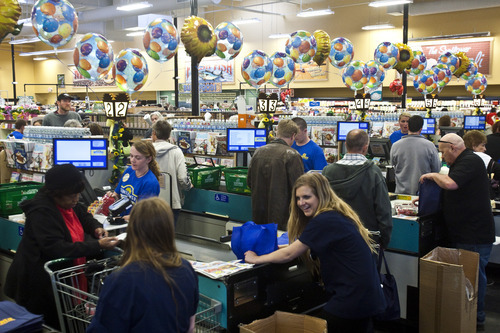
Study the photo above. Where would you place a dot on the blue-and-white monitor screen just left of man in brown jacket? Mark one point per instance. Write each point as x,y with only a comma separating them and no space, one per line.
241,139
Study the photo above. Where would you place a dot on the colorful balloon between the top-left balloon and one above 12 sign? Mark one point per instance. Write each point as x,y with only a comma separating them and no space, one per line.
93,56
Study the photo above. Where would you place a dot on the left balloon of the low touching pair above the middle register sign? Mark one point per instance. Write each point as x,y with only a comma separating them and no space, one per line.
256,68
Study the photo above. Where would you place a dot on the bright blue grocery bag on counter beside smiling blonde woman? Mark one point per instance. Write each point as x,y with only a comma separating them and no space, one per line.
260,238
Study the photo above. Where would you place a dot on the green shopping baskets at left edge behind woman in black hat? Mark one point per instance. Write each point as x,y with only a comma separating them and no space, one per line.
11,195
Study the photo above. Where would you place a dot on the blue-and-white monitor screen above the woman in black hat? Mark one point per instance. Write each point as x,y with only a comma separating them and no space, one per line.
83,153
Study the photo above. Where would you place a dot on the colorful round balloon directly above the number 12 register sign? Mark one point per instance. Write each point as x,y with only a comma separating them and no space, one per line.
131,70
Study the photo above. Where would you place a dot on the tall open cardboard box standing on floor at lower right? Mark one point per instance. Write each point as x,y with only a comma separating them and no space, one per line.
448,291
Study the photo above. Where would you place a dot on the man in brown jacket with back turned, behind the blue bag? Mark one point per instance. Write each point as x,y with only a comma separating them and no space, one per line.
273,170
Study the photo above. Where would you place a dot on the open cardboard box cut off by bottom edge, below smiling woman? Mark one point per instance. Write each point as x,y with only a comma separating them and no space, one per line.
284,322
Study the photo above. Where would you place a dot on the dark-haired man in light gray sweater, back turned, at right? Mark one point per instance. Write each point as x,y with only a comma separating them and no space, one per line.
412,156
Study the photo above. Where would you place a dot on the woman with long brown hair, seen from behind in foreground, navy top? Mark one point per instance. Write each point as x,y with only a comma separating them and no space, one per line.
155,290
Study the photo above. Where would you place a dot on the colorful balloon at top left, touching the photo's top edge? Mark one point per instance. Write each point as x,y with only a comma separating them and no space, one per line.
55,22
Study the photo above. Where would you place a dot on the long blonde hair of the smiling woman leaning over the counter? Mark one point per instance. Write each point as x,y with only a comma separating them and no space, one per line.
327,201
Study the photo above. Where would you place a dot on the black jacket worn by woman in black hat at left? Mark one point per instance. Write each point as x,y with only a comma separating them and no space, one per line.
45,238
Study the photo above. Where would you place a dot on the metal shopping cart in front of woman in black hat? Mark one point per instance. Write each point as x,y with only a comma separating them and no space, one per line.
76,308
